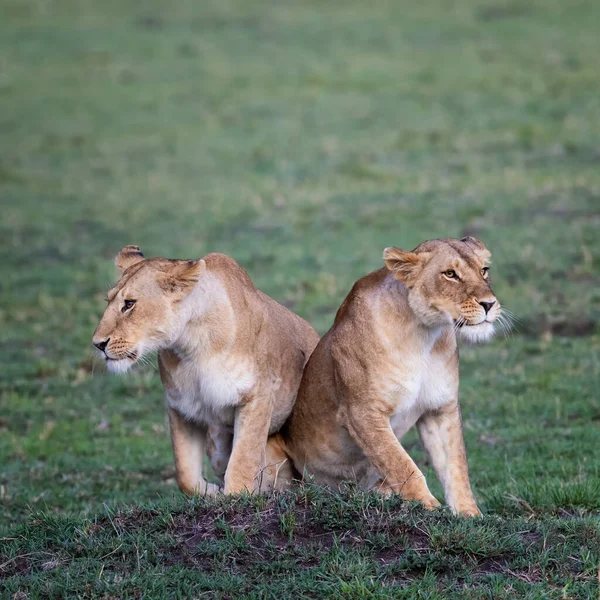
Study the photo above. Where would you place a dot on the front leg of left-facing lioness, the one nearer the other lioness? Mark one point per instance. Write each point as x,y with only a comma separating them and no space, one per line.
251,429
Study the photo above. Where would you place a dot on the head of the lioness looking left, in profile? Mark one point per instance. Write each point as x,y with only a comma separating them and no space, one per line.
142,313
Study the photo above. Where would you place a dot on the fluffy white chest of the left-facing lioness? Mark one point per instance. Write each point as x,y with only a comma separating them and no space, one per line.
208,391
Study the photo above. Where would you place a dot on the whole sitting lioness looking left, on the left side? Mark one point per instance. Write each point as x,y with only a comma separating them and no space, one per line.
230,359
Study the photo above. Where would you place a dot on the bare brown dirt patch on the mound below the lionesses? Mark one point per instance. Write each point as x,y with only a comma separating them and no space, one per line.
259,535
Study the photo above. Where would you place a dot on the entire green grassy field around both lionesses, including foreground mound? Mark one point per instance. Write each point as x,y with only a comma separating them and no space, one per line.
301,138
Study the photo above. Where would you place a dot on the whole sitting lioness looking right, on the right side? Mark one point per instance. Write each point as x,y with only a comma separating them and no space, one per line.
390,361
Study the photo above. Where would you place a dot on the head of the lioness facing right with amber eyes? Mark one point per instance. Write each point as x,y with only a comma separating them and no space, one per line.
449,282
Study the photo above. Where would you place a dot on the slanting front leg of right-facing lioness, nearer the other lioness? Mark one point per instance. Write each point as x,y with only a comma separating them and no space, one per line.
371,430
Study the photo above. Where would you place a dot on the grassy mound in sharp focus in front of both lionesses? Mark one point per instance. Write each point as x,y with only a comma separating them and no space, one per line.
305,544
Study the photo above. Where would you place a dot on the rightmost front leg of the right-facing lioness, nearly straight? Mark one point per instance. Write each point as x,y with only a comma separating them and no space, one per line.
441,433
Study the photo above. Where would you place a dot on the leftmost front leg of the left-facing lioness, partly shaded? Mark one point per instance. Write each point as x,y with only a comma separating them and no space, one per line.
189,441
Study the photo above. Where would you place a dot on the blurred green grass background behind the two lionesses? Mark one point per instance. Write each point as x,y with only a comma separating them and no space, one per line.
301,138
